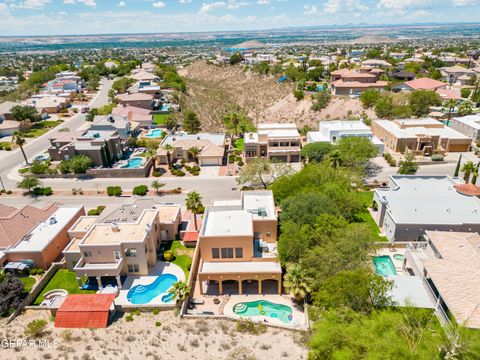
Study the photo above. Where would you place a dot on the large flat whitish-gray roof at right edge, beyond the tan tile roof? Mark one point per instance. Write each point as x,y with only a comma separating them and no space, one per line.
429,200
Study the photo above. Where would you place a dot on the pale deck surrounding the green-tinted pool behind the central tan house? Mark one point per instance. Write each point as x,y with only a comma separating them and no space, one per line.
299,319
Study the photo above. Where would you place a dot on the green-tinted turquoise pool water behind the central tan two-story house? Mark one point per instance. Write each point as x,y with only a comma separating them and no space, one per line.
264,308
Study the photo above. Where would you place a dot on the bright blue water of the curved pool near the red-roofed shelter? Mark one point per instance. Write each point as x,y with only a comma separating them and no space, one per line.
143,294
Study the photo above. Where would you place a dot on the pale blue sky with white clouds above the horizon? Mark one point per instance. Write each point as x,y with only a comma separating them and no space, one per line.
53,17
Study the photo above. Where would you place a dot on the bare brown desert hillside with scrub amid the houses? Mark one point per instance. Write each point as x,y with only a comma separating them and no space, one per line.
215,90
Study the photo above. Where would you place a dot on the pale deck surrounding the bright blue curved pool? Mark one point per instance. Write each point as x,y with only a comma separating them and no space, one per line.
160,268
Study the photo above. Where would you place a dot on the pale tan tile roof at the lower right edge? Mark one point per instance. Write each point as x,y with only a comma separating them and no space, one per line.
456,274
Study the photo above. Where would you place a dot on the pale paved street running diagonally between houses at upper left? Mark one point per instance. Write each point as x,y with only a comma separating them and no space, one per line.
12,159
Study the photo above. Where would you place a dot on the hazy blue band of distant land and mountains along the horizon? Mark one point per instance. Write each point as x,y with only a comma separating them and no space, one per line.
311,34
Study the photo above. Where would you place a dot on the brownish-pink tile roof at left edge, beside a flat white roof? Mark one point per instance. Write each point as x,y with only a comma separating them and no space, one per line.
19,223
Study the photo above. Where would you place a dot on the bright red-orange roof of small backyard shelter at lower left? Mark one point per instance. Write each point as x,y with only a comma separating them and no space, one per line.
84,311
